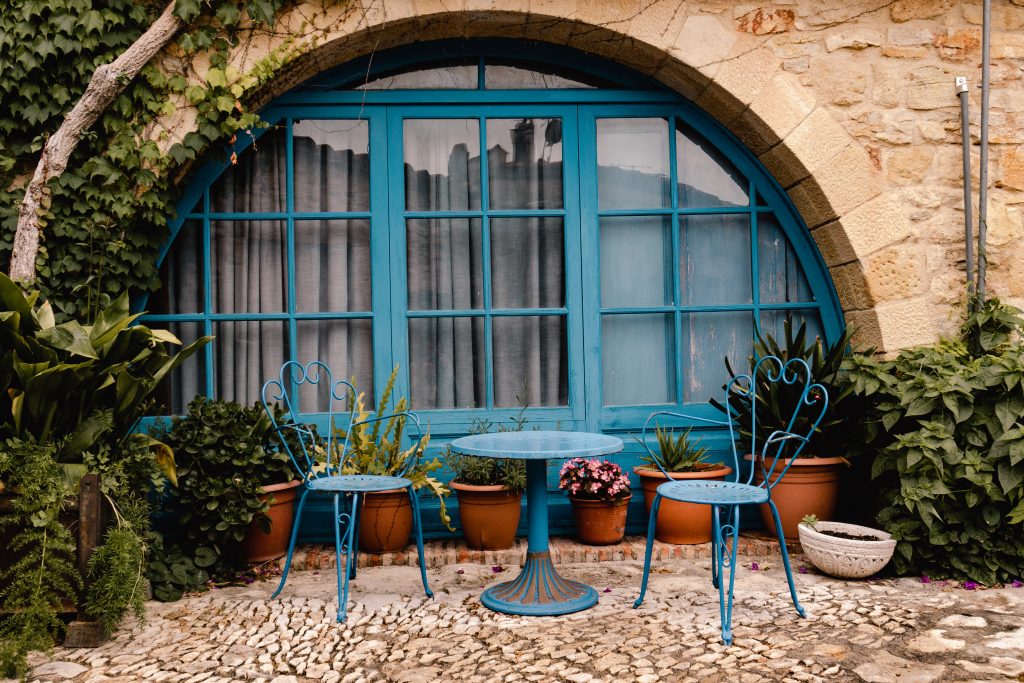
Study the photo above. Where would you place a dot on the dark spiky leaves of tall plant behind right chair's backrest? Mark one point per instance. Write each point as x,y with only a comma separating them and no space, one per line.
777,401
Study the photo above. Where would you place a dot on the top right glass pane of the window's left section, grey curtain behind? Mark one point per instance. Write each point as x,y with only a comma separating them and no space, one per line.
332,165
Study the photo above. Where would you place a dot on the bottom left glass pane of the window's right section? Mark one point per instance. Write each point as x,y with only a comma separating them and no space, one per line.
638,360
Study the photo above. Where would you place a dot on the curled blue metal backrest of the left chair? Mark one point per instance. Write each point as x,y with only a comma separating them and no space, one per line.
301,441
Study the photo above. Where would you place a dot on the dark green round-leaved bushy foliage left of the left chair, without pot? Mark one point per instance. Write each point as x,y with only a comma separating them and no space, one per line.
226,454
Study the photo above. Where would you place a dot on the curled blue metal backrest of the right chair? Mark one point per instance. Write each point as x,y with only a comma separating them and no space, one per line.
802,407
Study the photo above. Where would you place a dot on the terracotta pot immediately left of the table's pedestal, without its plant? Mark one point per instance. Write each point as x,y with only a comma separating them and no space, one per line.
490,516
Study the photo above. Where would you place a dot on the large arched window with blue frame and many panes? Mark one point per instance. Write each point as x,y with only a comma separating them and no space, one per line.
556,233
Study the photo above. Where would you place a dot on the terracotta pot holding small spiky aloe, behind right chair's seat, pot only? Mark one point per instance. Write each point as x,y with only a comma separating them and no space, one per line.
680,523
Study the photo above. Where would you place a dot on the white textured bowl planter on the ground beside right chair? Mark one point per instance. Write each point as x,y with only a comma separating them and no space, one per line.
846,559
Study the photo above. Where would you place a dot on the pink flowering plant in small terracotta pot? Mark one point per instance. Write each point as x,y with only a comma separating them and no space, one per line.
601,495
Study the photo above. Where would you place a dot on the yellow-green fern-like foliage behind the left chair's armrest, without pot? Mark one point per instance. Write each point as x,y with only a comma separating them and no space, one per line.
376,448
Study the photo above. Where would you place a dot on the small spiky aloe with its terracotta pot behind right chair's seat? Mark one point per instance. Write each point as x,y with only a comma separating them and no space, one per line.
679,523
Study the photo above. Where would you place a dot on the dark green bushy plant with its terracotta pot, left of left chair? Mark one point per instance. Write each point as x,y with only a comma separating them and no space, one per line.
236,488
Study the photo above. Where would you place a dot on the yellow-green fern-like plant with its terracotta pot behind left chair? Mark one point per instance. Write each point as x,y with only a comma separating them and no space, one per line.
387,518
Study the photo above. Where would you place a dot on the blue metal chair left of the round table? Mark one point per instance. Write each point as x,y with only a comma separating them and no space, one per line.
305,446
